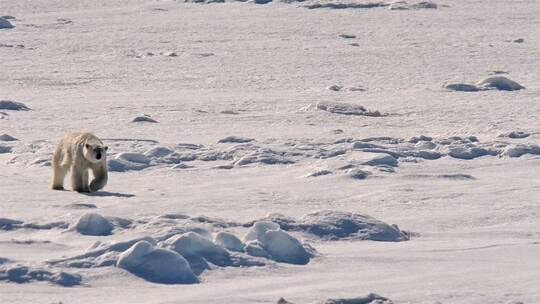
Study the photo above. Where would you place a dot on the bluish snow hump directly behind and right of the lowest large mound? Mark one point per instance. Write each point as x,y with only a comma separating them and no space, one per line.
193,246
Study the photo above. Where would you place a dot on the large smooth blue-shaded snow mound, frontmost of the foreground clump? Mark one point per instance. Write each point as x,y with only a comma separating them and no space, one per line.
156,265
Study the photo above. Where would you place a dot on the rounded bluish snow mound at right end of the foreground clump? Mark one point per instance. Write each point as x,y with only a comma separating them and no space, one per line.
266,239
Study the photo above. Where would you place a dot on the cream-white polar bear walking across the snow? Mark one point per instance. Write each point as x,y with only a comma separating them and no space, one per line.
80,152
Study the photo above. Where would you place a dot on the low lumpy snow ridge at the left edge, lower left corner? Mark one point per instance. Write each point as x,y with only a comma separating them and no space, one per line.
23,274
